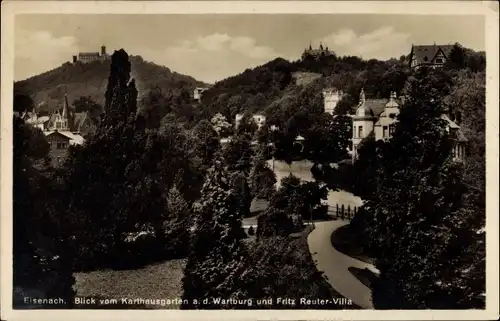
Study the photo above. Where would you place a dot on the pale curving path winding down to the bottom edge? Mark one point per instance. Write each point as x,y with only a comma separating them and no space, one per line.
335,264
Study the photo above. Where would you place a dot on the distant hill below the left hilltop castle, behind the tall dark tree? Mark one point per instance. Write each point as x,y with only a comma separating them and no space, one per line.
89,80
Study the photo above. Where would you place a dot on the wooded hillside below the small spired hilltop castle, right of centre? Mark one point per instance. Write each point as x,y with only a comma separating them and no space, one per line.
254,90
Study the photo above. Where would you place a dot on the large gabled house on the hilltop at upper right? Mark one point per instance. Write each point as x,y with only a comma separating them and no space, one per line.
433,56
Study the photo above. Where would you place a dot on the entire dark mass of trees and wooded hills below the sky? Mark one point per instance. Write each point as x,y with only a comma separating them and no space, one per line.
153,181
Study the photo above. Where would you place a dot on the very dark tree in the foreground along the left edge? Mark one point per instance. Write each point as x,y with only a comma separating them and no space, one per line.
41,257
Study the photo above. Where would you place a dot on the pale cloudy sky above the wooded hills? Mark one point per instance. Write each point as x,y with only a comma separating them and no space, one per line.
213,47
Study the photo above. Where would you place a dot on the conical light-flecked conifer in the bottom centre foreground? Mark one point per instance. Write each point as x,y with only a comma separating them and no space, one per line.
216,263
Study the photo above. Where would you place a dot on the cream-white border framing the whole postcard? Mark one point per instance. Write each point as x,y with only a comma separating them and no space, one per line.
487,9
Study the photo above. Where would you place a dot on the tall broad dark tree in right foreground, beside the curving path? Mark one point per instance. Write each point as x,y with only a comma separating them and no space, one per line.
420,224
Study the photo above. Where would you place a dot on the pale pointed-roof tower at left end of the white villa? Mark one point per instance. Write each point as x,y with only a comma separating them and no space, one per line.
362,123
